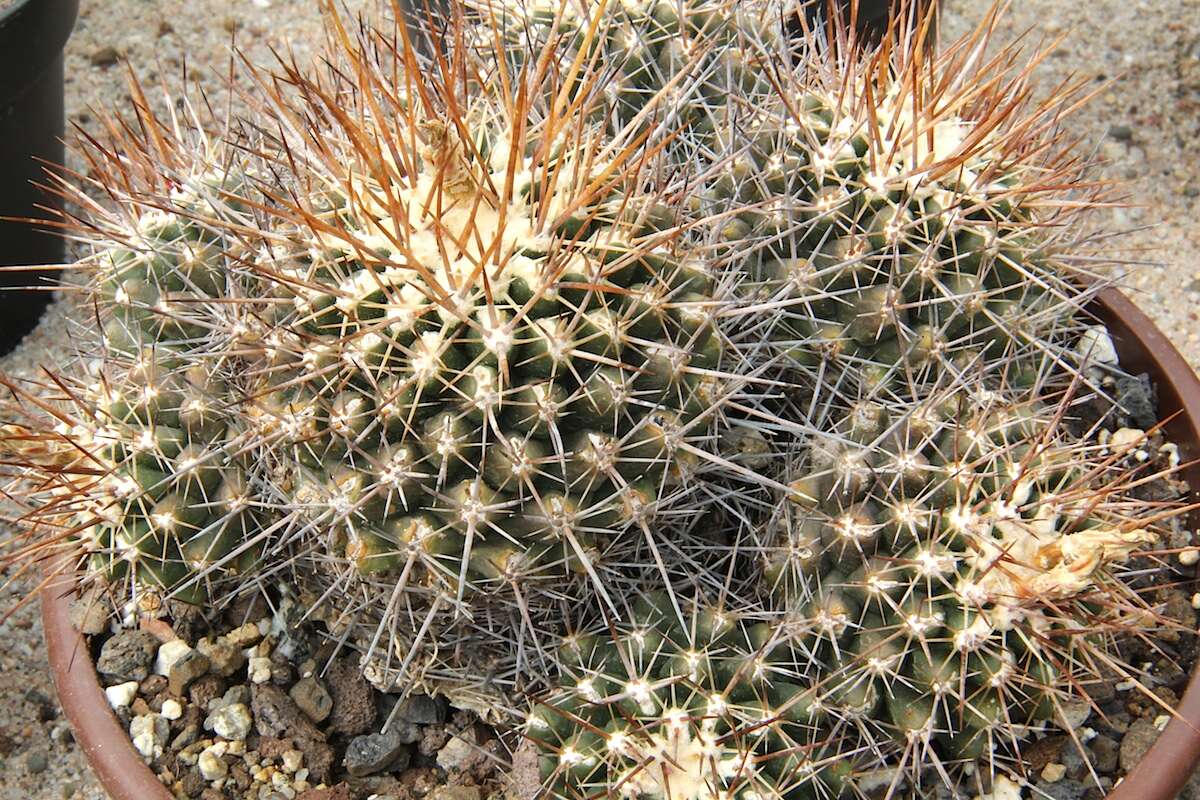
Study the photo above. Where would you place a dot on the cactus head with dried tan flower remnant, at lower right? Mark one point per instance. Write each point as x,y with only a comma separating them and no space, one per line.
937,558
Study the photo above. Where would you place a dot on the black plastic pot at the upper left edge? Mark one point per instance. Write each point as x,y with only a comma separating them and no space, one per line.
33,34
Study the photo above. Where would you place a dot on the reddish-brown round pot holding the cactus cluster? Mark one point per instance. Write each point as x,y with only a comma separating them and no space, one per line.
1162,773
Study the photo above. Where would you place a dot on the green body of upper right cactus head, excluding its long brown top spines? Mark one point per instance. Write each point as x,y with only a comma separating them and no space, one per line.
874,260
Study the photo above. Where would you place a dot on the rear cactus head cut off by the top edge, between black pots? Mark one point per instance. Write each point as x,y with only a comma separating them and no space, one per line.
650,65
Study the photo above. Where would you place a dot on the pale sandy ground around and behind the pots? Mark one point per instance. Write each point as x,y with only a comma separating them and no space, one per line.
1145,124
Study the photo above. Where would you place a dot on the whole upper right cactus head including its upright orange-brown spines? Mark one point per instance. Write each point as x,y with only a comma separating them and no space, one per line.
899,221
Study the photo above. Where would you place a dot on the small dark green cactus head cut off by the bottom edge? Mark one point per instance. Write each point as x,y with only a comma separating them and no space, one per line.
710,708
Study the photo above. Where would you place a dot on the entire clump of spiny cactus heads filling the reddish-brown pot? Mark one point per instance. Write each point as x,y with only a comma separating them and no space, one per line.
641,299
